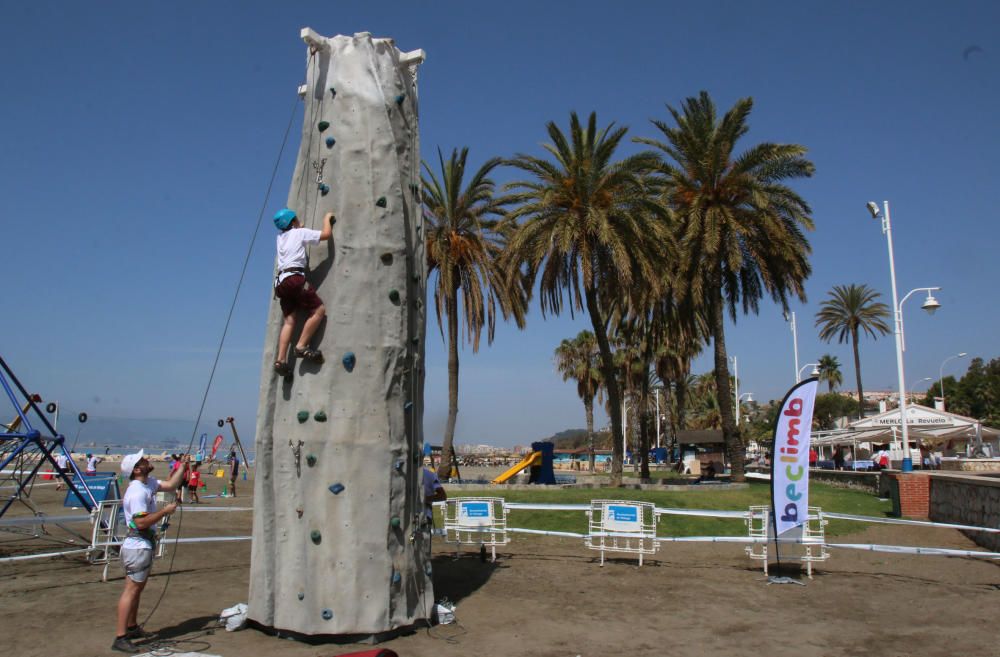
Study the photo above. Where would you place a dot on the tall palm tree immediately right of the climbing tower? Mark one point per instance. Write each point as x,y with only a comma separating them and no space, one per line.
463,247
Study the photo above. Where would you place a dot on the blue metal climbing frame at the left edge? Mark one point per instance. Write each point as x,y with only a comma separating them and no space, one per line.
23,446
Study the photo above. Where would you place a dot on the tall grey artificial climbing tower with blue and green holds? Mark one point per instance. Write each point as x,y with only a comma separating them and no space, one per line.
339,542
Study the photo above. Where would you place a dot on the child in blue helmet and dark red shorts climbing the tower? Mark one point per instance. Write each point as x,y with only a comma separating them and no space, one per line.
290,287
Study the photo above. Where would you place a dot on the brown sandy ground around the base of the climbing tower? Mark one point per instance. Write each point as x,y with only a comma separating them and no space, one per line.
546,597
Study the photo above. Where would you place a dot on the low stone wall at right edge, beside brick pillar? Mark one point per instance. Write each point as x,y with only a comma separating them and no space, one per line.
967,500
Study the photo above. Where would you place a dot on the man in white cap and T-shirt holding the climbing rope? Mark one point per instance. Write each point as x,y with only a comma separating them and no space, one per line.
141,518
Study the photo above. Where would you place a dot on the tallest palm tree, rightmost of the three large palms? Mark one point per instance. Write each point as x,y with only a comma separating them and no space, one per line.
740,224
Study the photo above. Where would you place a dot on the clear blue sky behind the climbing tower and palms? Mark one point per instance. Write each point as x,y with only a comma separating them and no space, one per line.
138,141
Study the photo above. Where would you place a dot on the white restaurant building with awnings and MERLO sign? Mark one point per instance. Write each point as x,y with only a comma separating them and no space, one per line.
939,431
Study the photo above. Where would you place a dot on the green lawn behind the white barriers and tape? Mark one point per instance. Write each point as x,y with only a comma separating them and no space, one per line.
829,498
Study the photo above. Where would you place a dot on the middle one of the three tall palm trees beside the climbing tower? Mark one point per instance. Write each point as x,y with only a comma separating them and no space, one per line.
593,227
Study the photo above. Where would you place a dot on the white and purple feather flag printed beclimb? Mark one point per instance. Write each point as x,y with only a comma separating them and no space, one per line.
790,459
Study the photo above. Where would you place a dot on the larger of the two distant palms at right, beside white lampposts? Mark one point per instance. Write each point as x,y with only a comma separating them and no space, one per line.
850,309
